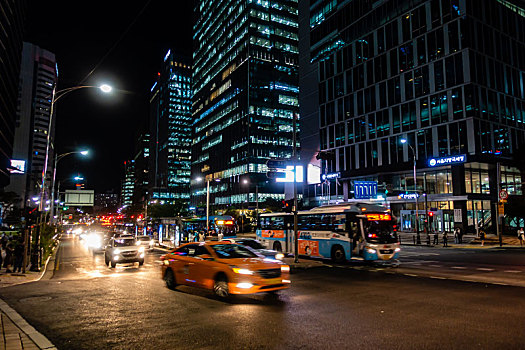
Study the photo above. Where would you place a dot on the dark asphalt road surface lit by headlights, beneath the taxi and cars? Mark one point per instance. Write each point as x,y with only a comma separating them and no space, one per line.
89,306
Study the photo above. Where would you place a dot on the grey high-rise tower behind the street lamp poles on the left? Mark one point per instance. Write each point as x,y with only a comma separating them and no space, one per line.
38,76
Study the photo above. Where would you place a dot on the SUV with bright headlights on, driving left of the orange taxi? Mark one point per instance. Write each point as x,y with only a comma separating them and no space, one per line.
124,250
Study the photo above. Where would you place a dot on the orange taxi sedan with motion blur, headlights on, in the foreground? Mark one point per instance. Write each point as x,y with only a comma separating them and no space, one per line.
224,267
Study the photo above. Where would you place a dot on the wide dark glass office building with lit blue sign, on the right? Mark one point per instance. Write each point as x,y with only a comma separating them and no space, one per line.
441,81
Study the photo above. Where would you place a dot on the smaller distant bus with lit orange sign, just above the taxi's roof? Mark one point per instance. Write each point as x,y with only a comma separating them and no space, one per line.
217,223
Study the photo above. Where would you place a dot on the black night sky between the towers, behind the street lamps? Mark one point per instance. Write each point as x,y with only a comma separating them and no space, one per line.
81,34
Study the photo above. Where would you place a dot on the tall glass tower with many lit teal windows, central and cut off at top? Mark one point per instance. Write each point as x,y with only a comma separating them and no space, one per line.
245,97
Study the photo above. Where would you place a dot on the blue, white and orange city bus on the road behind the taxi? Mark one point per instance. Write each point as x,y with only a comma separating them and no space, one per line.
338,232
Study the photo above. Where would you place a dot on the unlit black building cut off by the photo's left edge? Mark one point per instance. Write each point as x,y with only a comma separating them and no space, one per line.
12,14
